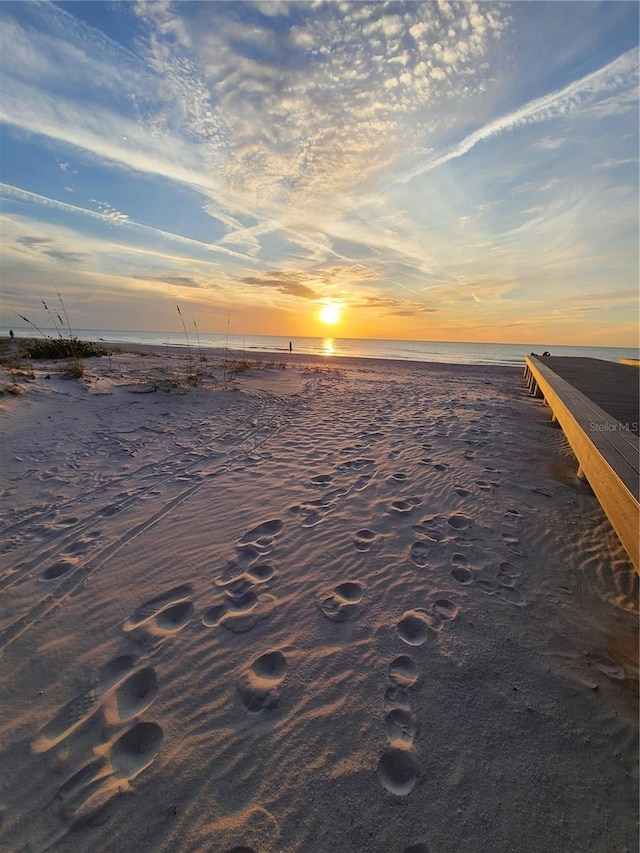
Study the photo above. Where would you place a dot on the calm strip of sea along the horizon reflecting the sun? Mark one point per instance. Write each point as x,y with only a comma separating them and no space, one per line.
450,353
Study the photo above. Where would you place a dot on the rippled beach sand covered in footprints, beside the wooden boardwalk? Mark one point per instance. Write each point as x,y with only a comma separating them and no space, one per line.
317,606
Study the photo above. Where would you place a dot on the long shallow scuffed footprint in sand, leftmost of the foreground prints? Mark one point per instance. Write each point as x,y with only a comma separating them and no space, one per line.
81,707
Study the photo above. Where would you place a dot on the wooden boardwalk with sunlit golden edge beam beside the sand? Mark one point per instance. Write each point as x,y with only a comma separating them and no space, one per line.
597,405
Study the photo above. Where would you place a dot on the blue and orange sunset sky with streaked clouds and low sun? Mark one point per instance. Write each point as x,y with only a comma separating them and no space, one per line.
422,171
